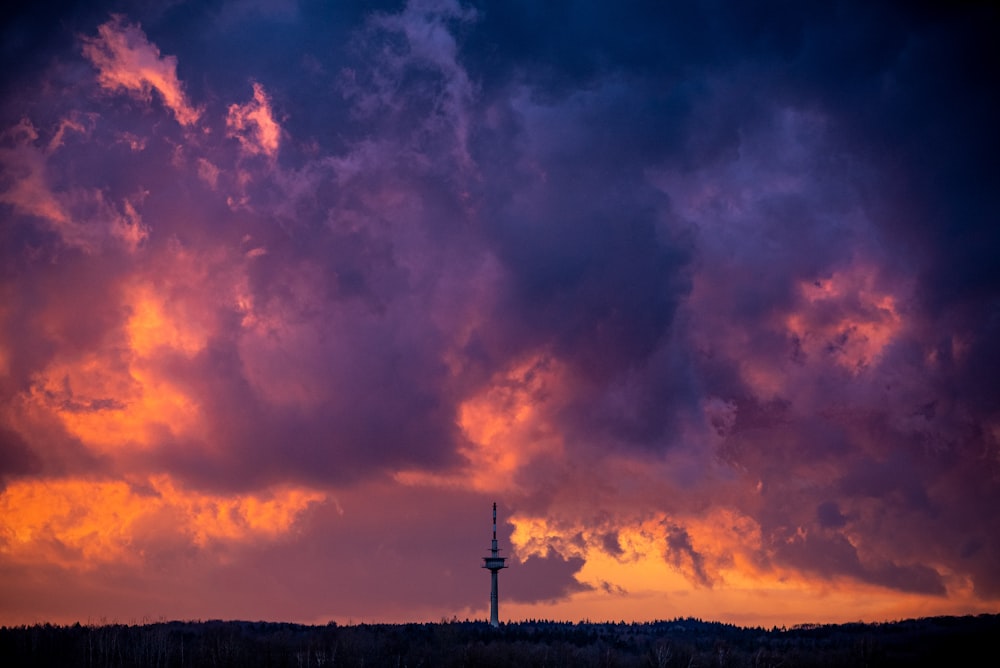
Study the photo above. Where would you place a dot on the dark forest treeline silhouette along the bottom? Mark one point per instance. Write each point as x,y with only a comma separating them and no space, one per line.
679,642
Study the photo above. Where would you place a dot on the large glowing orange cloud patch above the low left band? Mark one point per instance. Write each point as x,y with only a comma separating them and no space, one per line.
116,395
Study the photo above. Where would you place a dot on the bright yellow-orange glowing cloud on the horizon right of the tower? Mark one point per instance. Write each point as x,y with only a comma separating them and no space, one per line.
640,580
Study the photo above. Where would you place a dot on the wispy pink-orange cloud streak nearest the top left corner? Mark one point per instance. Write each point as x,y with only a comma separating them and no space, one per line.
126,60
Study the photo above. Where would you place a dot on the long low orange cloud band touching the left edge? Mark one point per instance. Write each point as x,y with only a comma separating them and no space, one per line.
80,523
